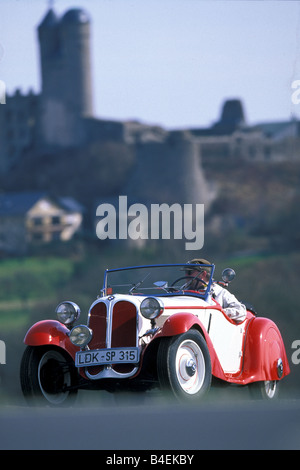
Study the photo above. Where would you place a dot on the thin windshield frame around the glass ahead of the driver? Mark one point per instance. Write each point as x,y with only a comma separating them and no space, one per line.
200,294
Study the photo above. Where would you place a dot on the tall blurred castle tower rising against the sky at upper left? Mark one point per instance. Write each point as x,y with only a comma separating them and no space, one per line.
66,95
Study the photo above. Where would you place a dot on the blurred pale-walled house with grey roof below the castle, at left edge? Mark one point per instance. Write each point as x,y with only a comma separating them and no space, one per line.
35,217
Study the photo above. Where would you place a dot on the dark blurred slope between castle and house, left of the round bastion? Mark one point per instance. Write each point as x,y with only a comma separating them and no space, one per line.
86,174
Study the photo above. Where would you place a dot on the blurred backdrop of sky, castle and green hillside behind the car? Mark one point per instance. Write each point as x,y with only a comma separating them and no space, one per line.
173,101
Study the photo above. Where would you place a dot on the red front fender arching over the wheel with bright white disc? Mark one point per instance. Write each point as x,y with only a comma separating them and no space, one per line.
182,322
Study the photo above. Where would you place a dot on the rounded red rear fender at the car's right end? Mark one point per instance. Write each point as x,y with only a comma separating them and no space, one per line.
263,348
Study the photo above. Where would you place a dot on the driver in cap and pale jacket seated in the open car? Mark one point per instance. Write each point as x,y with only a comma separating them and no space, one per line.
234,309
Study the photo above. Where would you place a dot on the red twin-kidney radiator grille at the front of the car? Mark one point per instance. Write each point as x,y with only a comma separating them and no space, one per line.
114,325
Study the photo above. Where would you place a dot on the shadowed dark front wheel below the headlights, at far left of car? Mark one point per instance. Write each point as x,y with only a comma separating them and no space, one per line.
44,373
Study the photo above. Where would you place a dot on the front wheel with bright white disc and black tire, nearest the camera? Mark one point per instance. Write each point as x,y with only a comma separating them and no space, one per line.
184,366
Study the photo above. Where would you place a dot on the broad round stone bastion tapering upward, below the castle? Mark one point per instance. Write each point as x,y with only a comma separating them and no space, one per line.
168,172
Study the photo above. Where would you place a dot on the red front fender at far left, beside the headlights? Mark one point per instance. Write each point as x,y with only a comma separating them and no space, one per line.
52,333
